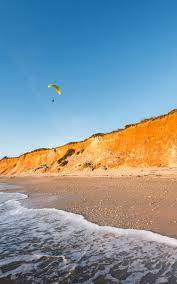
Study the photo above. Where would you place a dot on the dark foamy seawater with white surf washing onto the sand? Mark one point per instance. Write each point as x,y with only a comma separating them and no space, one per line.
54,246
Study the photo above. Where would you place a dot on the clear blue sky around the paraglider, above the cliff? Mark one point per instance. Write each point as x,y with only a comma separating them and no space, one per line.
116,62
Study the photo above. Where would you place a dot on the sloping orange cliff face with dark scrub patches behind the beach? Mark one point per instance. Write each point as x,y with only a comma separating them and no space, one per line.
151,143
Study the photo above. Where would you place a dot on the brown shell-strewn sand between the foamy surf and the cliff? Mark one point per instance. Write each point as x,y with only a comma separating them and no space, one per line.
137,202
